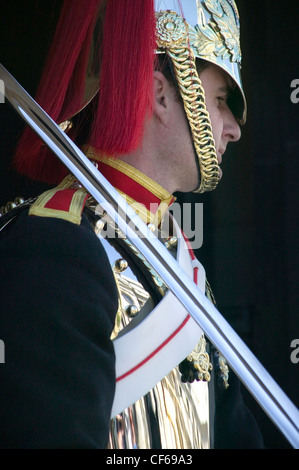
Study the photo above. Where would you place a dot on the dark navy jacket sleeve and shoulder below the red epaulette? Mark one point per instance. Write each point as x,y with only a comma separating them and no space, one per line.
58,305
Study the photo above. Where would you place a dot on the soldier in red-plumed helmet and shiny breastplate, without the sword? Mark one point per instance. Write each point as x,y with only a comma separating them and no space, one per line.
153,124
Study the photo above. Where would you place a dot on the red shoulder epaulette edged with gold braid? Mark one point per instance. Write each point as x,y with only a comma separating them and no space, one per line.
66,202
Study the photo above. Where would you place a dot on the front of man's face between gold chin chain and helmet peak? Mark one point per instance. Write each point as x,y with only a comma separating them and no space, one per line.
217,85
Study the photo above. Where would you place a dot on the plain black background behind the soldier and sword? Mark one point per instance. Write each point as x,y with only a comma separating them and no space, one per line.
251,225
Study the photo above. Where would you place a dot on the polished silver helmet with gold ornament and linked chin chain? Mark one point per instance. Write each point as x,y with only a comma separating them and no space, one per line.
188,30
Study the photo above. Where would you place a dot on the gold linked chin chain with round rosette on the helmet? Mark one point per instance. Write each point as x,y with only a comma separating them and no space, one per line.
184,64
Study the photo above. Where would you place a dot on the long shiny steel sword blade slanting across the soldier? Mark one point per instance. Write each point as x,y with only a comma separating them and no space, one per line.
272,399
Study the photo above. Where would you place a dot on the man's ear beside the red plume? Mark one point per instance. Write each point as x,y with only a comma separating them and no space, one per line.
163,95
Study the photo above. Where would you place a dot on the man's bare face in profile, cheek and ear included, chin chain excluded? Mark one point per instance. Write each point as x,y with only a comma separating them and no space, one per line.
171,138
